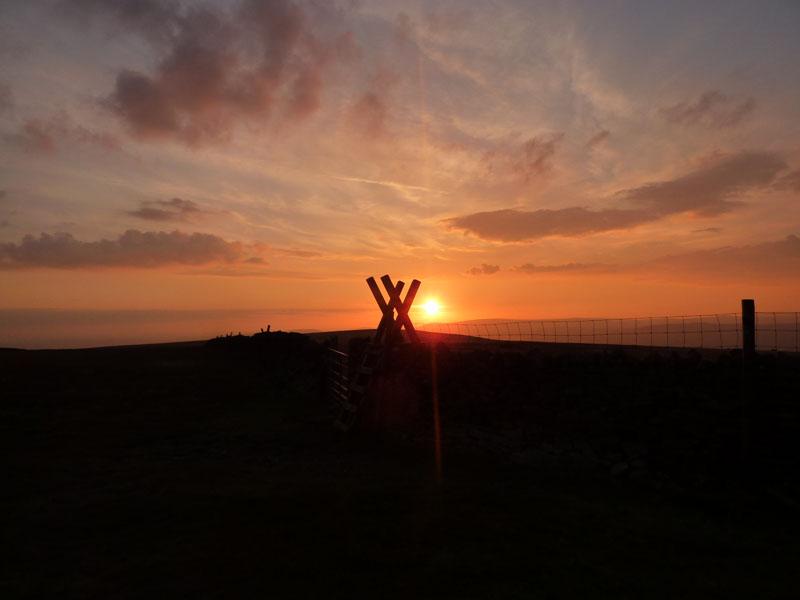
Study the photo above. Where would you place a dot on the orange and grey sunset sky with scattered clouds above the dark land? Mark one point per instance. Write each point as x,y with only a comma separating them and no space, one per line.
177,170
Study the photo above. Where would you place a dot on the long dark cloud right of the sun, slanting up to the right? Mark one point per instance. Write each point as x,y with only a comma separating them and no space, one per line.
707,191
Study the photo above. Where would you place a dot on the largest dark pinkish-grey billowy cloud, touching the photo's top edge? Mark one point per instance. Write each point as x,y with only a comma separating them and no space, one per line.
219,67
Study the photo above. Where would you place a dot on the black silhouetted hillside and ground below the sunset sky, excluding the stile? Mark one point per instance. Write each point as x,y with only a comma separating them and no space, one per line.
213,469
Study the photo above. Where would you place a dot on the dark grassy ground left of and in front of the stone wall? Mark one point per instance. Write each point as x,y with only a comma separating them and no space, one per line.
188,471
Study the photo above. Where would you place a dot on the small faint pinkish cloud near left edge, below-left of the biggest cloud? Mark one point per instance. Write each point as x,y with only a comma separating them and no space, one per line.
43,137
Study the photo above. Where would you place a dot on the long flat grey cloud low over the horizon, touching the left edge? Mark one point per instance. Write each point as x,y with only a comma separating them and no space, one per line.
131,249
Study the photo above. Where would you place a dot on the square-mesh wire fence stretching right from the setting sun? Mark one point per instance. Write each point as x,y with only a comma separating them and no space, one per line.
774,331
